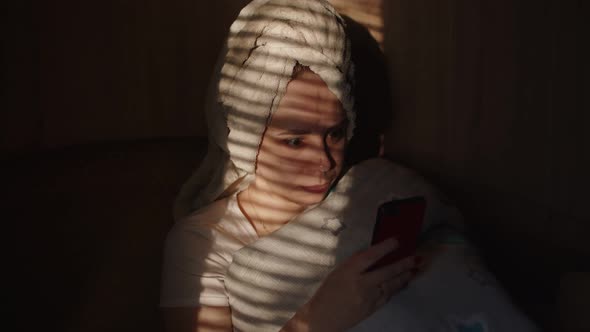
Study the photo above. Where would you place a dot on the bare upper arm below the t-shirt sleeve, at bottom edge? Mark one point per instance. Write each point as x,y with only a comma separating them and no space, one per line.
202,319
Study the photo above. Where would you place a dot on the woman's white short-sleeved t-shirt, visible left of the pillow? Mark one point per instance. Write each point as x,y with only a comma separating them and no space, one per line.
198,251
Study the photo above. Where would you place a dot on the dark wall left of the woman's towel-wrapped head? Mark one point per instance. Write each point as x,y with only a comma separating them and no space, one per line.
80,72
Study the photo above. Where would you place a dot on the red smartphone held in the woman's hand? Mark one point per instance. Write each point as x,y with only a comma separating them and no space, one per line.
401,219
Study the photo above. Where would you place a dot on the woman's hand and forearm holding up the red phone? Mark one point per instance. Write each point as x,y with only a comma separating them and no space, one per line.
350,293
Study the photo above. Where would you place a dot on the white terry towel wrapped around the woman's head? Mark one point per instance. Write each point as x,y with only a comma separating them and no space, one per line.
267,40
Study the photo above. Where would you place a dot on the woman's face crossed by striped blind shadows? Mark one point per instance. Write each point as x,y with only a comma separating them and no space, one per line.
302,150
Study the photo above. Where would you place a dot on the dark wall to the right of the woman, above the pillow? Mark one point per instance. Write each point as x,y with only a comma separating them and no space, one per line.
491,104
